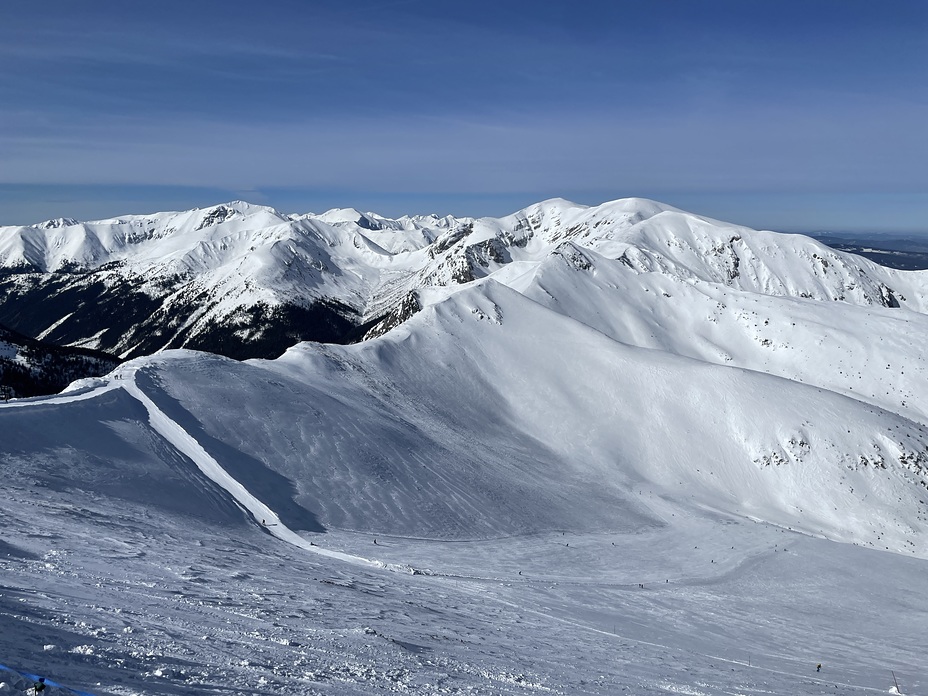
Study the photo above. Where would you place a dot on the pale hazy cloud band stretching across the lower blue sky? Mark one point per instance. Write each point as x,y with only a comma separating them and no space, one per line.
788,148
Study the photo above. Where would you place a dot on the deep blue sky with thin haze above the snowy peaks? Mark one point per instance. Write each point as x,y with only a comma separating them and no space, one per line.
787,115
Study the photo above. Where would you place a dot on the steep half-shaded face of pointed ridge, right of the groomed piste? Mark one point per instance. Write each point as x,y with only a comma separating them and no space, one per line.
488,415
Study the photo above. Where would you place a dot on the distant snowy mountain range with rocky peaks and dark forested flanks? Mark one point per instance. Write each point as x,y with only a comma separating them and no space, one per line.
247,281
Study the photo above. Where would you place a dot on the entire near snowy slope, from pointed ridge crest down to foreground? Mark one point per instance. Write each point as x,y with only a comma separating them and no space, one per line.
554,511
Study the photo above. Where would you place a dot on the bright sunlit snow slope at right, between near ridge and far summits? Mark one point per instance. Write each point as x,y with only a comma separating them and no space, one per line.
864,351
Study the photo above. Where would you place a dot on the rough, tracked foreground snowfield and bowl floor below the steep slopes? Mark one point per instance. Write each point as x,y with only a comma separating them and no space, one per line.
120,601
